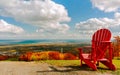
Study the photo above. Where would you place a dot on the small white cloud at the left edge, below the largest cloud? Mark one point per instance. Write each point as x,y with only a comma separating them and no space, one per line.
9,28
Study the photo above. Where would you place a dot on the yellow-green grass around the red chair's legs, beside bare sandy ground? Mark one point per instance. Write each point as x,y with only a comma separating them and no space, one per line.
76,64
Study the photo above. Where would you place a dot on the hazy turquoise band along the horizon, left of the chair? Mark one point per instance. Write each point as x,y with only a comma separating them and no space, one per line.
7,42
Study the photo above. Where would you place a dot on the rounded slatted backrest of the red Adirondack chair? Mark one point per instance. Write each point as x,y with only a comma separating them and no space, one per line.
99,47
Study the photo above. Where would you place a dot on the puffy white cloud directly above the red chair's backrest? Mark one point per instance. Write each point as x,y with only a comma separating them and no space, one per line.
91,25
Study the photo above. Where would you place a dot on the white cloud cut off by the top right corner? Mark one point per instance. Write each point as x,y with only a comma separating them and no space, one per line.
107,5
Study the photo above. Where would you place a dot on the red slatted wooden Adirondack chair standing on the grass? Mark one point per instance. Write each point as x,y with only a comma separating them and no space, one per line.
100,45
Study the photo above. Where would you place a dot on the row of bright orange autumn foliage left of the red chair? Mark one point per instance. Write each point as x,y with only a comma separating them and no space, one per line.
48,55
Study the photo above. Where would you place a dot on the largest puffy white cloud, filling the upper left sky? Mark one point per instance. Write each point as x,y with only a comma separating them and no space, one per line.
45,14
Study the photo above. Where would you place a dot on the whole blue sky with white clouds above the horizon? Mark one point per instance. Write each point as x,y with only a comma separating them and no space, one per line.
57,19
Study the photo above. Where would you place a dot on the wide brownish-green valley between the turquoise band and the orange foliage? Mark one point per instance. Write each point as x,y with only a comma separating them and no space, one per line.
17,50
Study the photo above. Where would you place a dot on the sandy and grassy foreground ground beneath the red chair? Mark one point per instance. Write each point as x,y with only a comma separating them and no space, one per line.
53,67
